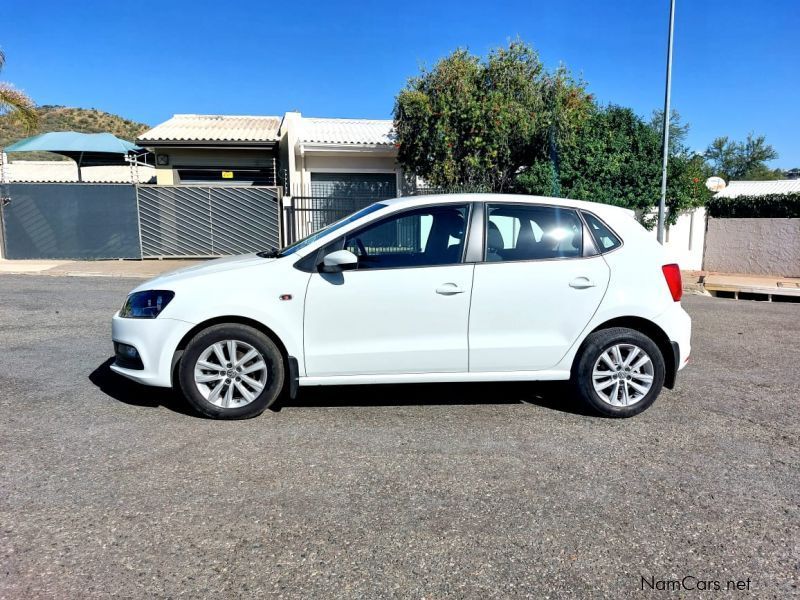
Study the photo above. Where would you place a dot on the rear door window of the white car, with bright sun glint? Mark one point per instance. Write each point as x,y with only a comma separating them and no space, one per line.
525,232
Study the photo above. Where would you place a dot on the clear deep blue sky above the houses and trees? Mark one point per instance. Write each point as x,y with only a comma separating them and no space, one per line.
735,63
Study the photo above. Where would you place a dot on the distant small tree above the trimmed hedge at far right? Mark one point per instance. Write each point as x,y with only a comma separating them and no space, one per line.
746,160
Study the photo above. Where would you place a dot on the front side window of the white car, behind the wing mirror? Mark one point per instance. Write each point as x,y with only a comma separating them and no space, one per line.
422,237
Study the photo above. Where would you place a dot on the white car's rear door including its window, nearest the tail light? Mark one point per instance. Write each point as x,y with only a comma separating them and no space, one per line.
535,290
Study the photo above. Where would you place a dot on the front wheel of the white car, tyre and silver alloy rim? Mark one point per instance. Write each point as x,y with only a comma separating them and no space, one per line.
206,372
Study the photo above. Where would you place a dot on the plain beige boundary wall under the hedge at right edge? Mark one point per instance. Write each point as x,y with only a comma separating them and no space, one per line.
753,246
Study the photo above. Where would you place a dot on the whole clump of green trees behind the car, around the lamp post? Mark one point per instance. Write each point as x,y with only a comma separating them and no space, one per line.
507,124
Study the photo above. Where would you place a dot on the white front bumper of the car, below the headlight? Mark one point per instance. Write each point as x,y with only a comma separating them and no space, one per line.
155,340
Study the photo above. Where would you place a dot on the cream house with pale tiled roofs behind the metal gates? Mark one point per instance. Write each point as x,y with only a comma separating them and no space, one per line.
306,156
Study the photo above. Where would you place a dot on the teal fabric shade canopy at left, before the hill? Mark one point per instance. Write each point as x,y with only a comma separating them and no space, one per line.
87,149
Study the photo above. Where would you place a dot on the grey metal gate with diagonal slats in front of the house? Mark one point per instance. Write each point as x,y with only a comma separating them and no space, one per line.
184,221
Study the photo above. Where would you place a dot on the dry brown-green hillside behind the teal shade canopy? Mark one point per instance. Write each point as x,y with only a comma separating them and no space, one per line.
61,118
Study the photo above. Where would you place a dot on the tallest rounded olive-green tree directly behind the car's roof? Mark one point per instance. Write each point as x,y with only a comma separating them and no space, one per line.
474,122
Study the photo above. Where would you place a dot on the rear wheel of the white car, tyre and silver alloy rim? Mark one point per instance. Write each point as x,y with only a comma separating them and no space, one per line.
602,381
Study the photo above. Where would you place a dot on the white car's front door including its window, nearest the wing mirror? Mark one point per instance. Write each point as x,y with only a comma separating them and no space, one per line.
405,309
